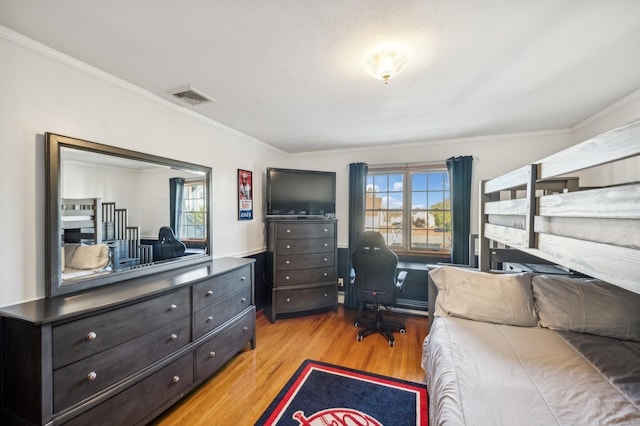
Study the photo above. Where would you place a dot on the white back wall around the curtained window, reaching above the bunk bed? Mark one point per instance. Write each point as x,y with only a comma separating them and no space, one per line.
492,156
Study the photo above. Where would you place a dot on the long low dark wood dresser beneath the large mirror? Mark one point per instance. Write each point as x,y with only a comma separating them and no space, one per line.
124,353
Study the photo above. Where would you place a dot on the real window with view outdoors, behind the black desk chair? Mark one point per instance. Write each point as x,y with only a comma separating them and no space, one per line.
410,207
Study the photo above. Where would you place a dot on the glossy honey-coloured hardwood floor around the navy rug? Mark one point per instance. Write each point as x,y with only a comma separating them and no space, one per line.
244,388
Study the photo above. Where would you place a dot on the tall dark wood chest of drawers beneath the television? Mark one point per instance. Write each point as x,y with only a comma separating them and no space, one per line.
302,265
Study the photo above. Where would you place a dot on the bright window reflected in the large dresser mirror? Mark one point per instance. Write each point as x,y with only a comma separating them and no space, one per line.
194,211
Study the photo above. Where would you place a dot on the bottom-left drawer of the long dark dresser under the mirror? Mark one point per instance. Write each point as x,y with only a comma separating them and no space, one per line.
151,394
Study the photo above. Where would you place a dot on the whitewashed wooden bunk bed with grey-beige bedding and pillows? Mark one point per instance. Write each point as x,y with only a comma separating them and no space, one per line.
525,348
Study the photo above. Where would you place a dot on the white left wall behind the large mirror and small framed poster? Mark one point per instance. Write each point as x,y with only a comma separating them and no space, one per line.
45,91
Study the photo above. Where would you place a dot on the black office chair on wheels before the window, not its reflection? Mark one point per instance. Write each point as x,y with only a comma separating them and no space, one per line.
376,283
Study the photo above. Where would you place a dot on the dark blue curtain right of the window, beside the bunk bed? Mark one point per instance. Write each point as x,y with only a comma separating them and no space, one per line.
459,169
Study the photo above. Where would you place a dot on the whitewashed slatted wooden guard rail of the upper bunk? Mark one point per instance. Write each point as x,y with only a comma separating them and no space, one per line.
566,225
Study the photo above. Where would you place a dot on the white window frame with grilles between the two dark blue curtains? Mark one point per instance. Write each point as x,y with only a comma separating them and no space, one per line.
408,171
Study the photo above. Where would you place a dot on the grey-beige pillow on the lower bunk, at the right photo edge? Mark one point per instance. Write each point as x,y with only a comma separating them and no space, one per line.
587,306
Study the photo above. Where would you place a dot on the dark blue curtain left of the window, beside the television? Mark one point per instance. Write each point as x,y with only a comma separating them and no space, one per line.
357,194
